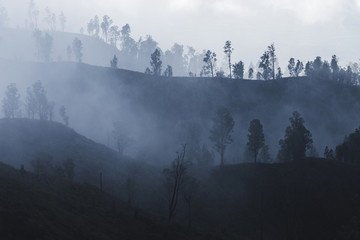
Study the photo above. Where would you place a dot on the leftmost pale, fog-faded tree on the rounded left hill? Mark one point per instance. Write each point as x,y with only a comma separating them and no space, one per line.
11,101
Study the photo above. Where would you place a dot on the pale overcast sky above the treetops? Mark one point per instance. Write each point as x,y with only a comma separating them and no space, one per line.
301,29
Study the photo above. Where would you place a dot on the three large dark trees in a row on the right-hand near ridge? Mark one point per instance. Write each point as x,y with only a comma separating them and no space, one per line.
297,140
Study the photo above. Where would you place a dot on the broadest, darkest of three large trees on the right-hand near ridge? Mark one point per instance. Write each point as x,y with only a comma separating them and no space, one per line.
296,141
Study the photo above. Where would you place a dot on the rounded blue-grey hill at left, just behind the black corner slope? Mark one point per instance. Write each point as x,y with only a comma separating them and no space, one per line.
23,140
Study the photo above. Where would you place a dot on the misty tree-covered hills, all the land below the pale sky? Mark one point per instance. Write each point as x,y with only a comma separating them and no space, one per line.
104,135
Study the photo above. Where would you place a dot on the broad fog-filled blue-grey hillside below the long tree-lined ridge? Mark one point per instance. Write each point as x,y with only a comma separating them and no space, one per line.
158,113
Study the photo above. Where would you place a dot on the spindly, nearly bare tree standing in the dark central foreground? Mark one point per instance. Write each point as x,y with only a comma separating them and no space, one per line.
174,179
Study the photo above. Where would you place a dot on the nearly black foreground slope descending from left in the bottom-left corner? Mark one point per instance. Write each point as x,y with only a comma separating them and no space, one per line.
37,207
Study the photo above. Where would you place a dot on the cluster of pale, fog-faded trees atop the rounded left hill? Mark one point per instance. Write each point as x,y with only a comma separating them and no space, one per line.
37,105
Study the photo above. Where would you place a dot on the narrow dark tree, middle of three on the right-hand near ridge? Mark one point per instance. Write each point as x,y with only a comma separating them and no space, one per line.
256,139
